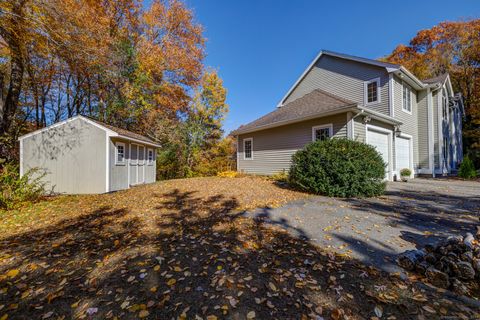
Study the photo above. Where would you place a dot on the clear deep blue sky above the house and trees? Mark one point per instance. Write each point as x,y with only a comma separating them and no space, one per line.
261,47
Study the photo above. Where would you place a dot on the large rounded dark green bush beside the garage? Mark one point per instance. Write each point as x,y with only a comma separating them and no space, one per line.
339,168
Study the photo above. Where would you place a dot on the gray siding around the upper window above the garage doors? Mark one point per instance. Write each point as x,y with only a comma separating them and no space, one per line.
410,121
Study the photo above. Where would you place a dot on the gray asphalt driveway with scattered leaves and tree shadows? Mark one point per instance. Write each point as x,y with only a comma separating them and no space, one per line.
376,230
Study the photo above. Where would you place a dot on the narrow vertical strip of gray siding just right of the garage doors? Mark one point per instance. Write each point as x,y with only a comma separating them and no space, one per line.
423,153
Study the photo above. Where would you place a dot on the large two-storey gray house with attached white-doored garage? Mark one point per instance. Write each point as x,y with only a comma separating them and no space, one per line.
413,123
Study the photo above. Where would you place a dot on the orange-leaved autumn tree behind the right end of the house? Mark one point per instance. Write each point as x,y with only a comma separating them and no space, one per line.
452,47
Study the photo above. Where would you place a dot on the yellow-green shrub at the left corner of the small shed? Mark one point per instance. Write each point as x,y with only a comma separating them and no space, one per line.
16,190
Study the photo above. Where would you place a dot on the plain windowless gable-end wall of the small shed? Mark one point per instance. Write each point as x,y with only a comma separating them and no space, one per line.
73,156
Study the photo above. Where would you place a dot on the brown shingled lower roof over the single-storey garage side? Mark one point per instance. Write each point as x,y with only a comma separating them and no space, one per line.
314,103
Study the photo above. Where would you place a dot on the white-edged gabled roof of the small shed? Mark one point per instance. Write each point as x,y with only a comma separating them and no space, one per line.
112,131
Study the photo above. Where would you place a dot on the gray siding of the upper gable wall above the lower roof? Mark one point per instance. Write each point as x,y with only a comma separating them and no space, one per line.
343,78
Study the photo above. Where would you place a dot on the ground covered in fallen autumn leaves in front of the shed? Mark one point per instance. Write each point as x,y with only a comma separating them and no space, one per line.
182,250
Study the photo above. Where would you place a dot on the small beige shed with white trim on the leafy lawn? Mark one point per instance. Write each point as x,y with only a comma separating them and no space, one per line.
81,155
